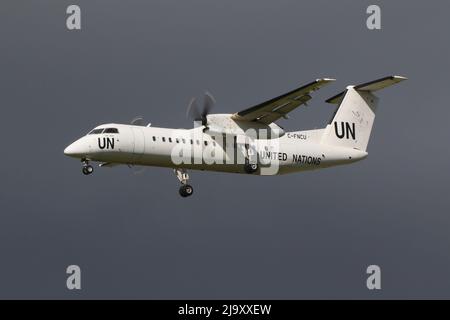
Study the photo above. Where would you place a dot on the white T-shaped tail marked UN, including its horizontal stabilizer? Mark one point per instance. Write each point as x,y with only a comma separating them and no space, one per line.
353,120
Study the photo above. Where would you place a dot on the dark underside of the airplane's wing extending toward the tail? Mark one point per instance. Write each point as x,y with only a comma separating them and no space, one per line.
270,111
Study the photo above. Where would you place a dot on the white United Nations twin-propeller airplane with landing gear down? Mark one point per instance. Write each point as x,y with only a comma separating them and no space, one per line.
248,141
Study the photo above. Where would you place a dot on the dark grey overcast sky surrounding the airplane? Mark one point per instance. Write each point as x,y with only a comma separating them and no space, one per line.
308,235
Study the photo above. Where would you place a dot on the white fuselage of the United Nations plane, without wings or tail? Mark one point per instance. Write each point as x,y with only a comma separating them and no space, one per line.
162,147
